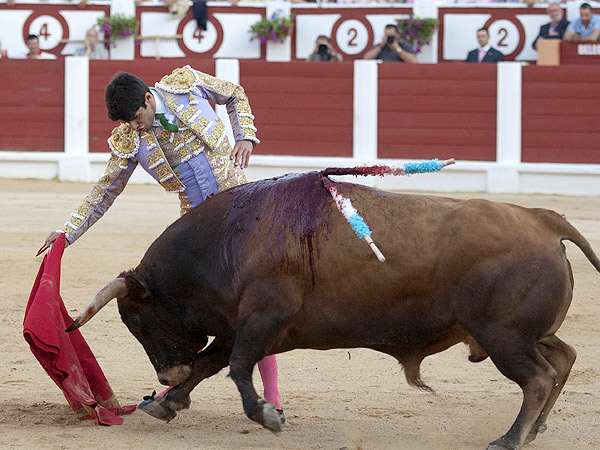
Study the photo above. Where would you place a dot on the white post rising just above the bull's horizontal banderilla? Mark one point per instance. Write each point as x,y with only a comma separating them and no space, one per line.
364,139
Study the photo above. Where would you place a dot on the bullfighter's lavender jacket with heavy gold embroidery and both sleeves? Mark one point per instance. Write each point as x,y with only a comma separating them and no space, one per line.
186,92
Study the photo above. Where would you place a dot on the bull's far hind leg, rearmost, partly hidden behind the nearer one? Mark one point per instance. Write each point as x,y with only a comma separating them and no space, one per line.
561,356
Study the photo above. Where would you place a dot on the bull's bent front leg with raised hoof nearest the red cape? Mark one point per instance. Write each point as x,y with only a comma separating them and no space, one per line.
208,362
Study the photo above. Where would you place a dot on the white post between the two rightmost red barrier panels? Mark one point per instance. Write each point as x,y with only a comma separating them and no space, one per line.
504,177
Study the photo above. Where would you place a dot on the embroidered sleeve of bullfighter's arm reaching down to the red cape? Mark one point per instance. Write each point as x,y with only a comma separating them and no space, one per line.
102,196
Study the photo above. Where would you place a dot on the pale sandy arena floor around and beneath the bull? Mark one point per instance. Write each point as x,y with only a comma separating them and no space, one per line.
341,399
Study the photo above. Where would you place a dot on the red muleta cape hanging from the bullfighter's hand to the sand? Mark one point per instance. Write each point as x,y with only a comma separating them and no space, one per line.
66,357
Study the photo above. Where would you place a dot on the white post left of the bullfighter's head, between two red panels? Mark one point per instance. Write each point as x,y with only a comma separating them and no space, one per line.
74,165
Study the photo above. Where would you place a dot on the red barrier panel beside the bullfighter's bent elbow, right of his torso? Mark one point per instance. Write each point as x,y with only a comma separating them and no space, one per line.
301,108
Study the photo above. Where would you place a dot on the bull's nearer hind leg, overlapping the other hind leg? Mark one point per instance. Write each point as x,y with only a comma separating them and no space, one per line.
524,364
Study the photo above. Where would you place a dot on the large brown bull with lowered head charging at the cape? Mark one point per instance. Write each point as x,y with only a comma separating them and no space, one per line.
272,266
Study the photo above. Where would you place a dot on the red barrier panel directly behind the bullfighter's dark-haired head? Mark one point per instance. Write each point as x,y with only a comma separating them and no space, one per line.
150,71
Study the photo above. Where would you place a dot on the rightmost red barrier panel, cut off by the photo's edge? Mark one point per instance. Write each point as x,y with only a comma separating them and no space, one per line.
560,114
